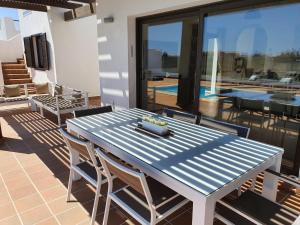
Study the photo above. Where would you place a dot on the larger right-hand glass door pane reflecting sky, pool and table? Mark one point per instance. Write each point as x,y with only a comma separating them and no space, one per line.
252,73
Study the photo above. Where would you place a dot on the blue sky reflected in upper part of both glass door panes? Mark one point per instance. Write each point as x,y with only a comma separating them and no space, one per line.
270,30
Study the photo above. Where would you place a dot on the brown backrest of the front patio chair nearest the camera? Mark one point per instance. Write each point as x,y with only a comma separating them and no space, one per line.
133,178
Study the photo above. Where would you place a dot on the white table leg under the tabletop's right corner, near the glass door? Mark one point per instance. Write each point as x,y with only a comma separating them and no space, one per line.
270,184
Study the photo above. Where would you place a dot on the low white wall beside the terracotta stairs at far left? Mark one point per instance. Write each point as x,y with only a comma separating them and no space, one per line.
11,49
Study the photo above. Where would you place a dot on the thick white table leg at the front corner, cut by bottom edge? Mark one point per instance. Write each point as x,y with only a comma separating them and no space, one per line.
203,213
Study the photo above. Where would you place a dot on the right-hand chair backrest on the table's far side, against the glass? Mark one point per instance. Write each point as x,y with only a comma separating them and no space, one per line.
226,127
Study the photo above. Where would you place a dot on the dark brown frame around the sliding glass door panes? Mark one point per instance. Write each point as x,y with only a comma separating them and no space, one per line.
202,12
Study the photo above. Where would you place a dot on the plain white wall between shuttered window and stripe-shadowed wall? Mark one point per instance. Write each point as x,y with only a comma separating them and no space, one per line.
76,52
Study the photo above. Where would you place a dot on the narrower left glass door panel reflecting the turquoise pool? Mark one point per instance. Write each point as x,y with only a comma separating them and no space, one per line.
169,54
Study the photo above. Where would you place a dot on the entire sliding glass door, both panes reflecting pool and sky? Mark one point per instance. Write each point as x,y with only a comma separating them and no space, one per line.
239,64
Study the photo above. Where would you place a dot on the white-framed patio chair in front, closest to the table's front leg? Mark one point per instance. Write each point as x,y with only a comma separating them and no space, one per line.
144,198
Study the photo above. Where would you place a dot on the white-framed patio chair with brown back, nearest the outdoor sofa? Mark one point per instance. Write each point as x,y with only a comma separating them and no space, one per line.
89,169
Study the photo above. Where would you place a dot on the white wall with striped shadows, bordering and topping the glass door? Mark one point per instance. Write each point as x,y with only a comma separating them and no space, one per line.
115,40
